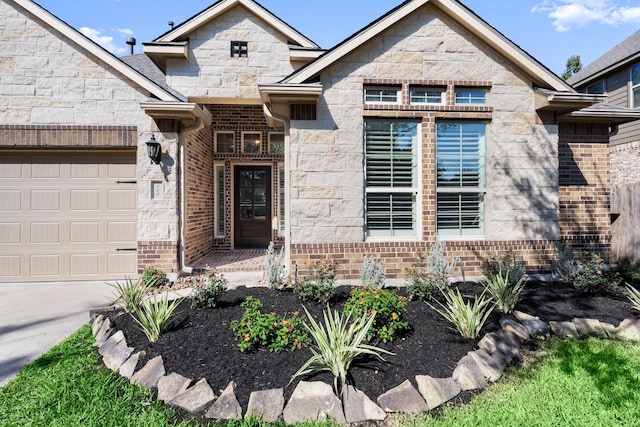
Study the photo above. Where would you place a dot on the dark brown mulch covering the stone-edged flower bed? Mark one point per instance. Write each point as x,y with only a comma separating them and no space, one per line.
203,345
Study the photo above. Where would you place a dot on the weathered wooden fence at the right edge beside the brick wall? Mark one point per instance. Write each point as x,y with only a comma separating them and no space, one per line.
625,216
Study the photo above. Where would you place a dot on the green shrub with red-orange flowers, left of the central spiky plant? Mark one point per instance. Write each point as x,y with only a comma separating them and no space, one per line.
268,330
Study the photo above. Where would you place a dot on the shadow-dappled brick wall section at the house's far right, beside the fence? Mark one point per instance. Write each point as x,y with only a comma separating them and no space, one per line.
585,186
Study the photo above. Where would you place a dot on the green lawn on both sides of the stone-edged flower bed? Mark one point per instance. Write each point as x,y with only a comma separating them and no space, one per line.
575,383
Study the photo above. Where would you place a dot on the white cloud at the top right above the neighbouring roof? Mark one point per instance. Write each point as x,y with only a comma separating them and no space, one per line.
568,14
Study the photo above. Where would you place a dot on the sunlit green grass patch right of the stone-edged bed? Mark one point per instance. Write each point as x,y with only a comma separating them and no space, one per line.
577,383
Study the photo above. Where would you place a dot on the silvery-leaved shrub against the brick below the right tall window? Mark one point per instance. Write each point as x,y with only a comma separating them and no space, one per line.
430,275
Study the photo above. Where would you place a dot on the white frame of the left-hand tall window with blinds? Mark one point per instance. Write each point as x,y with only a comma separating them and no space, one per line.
416,190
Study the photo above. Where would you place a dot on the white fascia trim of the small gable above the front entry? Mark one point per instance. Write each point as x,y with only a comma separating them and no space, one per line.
181,31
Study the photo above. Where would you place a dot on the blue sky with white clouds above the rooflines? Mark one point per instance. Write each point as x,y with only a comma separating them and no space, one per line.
549,30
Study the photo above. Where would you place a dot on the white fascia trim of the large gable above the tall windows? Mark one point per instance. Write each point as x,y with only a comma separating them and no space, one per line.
471,22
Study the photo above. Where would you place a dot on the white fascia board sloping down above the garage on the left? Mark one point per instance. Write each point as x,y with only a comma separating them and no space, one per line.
96,50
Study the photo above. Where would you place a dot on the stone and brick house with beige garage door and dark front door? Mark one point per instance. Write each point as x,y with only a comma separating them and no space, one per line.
427,124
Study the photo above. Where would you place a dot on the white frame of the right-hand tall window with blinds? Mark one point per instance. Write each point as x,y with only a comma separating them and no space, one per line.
480,190
